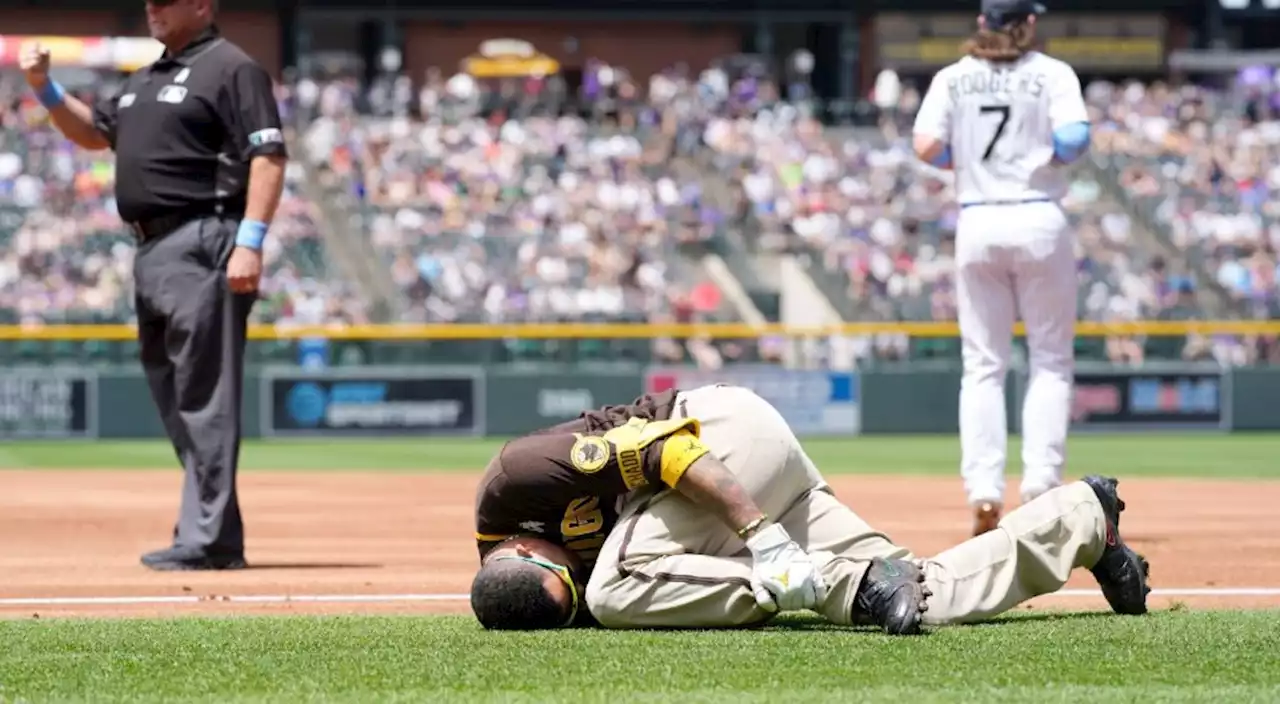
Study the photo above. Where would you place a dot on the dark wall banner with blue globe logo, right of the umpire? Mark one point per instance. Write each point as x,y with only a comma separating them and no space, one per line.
373,401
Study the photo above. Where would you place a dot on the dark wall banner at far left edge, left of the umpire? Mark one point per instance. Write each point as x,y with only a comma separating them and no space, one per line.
48,404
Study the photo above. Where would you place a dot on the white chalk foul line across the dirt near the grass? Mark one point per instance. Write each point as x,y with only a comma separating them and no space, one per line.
423,598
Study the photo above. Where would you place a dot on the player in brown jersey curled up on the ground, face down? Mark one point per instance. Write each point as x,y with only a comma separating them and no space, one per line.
700,509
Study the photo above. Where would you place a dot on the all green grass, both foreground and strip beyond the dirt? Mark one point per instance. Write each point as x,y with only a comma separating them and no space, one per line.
1172,656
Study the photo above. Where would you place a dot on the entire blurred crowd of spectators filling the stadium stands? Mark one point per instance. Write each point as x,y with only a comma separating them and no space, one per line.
520,202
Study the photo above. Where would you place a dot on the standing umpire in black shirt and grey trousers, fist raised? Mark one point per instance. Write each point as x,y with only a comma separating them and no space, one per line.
200,170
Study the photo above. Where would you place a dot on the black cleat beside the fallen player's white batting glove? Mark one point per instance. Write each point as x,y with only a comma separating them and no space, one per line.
893,596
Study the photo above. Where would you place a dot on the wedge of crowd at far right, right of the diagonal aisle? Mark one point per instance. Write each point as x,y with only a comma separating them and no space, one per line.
1205,164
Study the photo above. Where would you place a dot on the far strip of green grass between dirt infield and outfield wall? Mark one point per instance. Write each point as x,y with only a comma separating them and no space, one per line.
1188,456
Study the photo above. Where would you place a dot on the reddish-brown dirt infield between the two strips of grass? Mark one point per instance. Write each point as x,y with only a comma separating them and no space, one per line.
401,538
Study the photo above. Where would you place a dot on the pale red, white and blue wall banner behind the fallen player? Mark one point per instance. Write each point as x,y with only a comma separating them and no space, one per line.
813,403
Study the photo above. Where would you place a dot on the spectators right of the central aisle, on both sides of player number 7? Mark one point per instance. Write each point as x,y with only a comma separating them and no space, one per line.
867,211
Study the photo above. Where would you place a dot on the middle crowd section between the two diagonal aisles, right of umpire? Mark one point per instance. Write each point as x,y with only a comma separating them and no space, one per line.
508,208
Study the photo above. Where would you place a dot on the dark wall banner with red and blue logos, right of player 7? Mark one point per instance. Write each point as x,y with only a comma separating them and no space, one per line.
1151,400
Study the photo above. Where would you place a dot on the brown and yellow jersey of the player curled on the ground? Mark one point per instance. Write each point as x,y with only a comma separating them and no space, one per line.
564,483
